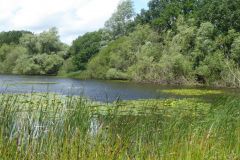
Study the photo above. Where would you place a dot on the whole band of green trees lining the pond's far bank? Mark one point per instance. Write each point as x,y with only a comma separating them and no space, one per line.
171,42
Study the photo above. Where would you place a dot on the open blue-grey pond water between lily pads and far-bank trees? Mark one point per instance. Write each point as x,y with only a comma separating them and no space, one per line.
93,89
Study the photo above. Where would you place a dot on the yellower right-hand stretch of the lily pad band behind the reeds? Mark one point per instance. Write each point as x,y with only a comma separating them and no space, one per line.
146,107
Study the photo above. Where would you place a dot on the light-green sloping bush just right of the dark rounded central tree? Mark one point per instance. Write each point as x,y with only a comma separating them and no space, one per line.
116,59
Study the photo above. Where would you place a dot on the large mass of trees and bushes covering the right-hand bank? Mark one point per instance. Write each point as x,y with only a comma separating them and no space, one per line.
175,42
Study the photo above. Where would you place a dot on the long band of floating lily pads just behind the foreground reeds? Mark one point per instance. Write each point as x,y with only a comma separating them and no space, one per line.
133,107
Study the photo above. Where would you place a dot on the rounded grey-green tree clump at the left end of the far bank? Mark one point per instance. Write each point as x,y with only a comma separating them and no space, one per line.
27,53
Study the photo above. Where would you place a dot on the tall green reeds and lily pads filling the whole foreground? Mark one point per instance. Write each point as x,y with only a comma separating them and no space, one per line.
48,126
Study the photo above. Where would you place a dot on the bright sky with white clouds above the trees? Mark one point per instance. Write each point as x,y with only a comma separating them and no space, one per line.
71,17
